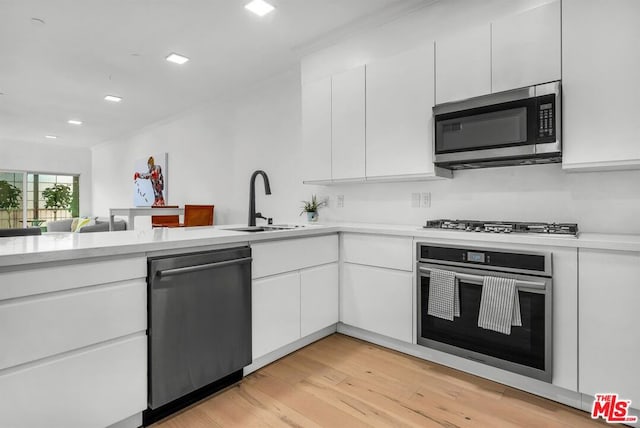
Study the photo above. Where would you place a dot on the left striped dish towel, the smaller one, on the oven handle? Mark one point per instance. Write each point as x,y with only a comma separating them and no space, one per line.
444,295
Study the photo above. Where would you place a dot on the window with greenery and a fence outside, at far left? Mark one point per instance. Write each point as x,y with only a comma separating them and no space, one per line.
32,204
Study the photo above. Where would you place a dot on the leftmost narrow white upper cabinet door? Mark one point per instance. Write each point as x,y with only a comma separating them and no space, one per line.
316,129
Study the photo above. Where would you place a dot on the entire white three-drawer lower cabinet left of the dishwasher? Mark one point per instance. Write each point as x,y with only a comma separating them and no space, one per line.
74,344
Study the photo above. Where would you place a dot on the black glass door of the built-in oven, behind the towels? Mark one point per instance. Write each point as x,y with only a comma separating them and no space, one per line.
524,346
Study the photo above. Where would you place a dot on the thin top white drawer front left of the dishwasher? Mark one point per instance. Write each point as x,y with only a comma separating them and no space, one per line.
67,276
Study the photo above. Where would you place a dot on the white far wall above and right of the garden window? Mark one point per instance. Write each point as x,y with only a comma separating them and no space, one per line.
53,159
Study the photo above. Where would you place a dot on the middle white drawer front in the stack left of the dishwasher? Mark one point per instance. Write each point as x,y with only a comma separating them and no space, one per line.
46,325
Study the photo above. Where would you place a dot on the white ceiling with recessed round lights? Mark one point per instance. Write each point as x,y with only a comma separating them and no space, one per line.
59,58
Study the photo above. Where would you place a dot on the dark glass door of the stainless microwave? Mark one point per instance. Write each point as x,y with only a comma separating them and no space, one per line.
502,125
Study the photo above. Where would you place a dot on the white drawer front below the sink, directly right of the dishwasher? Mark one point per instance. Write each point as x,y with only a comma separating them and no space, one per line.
270,258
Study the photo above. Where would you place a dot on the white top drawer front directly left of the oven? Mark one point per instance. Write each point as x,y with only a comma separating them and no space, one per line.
374,250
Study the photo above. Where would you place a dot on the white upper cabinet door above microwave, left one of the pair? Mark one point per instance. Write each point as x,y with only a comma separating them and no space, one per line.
463,64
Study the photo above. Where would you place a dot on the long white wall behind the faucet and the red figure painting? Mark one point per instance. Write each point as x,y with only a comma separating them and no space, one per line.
213,151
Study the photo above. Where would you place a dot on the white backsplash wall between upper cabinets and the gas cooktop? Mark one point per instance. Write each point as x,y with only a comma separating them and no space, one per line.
597,201
